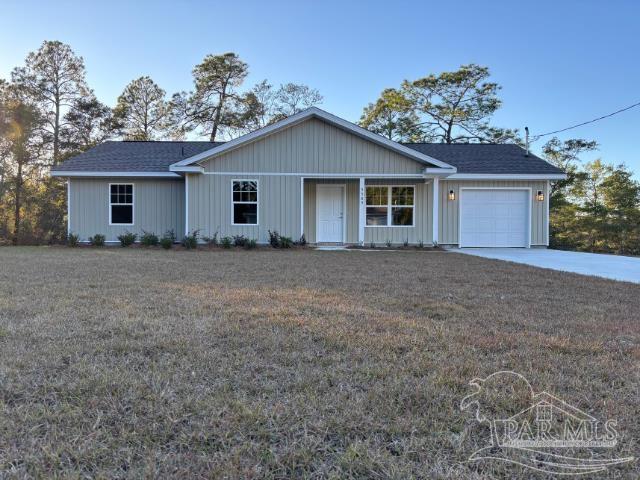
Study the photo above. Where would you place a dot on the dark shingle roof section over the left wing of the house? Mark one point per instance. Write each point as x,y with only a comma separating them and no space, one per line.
133,156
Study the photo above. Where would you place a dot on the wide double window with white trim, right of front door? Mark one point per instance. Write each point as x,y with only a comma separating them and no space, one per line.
390,206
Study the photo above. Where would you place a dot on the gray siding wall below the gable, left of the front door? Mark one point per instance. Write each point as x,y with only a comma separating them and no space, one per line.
210,206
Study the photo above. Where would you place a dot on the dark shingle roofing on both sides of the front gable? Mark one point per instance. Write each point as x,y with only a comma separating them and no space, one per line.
128,156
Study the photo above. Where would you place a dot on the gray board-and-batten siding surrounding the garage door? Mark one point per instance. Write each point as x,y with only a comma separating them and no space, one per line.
449,214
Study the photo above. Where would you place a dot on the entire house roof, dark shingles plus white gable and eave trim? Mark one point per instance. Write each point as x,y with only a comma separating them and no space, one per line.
167,158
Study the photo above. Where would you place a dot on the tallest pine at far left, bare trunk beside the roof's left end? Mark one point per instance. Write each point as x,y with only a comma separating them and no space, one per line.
54,77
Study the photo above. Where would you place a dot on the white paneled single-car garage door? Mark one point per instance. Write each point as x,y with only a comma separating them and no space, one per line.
494,218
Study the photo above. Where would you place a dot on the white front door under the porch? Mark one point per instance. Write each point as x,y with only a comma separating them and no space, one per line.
330,212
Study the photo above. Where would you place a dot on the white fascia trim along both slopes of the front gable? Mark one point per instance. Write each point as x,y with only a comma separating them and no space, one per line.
312,112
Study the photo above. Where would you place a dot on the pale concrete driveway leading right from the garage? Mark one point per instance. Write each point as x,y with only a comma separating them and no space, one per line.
614,267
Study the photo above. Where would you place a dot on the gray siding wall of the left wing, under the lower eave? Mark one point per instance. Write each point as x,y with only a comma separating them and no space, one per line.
158,207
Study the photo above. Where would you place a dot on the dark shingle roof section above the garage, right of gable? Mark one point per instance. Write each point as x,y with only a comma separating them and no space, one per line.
486,158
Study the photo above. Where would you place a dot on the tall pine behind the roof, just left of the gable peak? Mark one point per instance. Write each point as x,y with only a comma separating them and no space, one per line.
214,104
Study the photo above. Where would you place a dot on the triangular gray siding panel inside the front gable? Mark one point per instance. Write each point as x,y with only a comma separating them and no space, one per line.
311,147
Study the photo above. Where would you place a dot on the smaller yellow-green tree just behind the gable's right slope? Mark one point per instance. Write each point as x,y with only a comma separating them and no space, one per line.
392,116
